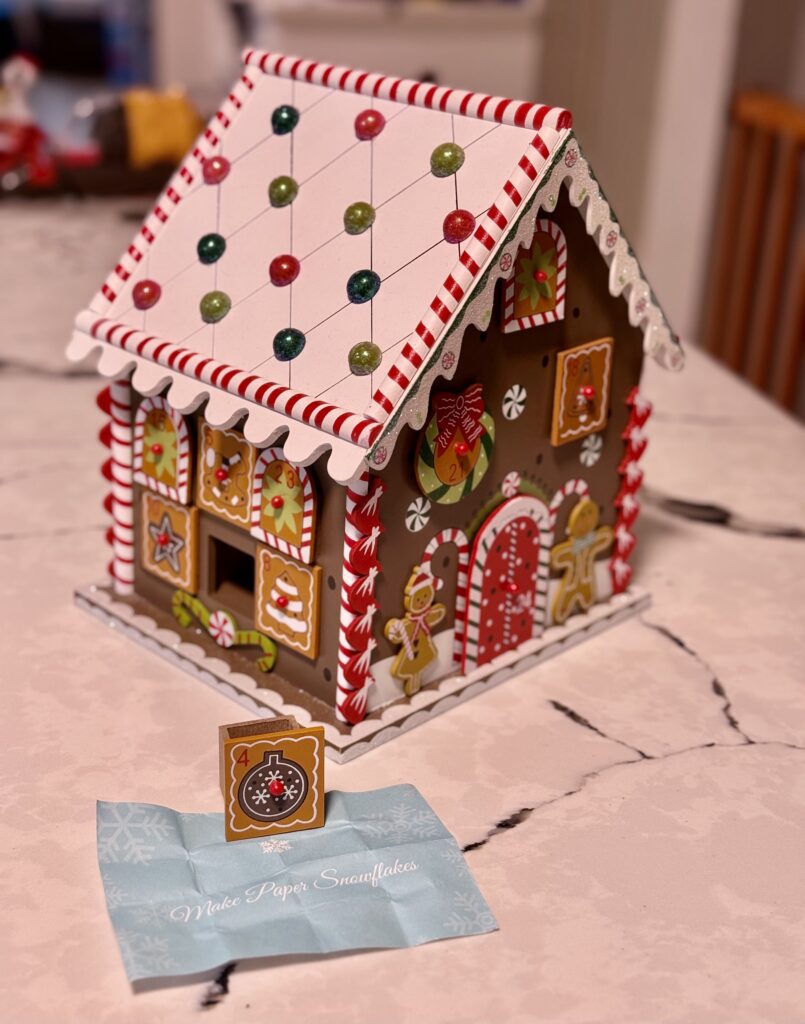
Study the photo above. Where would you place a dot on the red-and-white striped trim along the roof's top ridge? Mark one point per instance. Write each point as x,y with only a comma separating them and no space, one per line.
426,95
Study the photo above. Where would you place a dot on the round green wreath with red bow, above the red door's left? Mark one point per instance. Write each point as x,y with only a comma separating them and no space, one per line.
456,446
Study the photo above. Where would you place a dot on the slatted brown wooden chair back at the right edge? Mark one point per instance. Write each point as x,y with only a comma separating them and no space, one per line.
754,307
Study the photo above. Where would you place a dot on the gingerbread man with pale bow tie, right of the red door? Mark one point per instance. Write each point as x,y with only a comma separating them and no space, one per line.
576,557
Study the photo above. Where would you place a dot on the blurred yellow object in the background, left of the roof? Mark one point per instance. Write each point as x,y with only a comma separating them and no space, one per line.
161,126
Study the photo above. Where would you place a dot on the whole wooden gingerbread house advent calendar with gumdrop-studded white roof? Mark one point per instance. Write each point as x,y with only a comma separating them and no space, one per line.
374,421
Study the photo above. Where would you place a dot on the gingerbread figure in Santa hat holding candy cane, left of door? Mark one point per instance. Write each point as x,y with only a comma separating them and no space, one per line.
414,630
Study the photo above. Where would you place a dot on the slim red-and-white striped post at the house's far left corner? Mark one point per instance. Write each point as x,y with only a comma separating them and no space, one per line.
122,566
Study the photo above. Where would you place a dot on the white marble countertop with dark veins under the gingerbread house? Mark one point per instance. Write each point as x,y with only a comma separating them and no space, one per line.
634,810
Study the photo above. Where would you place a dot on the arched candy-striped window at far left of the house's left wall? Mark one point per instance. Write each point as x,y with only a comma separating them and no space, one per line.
162,450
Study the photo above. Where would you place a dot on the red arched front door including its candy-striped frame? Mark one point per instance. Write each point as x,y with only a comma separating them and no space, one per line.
510,572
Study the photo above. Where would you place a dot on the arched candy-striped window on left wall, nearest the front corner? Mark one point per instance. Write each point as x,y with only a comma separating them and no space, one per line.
284,506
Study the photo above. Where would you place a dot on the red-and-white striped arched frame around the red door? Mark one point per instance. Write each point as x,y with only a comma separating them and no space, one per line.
515,508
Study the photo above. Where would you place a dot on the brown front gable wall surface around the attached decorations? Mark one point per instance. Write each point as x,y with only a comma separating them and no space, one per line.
529,359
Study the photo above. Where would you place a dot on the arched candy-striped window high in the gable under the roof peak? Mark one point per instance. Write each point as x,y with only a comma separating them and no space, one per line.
535,293
